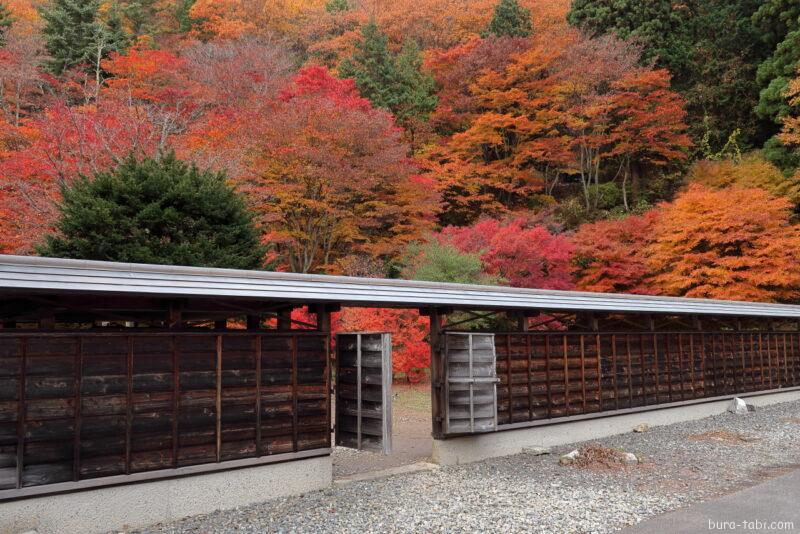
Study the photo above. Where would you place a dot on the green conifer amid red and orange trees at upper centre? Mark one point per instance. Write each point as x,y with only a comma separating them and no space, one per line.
395,82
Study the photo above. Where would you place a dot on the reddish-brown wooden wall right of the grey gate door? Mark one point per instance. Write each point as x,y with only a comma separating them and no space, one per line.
548,375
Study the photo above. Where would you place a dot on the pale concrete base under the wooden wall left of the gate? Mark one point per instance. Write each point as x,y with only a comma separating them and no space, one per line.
146,503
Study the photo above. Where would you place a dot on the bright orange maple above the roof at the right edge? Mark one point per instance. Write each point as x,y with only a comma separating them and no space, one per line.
733,243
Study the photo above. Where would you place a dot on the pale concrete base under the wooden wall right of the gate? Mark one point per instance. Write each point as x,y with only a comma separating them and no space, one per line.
503,443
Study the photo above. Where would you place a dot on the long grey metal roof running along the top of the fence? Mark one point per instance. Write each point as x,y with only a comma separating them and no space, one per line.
55,275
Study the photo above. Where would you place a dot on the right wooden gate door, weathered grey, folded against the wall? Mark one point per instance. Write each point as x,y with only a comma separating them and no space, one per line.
470,386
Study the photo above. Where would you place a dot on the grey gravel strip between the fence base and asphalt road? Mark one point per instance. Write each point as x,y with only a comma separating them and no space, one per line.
683,463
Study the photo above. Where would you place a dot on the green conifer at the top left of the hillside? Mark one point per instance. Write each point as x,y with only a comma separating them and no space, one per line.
74,34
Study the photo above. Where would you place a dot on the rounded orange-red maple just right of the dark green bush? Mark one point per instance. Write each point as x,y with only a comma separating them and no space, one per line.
331,177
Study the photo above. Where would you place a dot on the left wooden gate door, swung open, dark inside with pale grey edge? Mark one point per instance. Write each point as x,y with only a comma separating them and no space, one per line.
364,391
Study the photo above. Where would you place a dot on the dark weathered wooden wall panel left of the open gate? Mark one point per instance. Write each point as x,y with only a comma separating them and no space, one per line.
82,405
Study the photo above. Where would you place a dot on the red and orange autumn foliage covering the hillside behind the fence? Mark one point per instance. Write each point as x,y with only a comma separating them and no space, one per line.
557,159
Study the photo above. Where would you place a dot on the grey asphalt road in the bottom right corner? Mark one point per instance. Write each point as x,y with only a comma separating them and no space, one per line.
773,506
